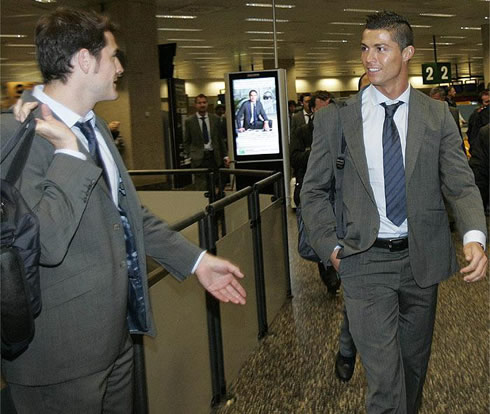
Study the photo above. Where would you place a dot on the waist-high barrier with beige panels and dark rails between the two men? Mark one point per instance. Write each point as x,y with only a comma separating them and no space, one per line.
201,344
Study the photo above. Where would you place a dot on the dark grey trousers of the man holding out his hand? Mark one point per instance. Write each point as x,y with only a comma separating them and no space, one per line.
109,391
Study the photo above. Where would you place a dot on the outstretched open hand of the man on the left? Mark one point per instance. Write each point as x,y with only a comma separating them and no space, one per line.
219,277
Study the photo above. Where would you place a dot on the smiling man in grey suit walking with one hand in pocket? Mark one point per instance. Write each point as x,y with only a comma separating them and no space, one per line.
403,156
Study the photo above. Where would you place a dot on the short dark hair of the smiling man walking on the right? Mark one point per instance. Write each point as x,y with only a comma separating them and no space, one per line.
398,26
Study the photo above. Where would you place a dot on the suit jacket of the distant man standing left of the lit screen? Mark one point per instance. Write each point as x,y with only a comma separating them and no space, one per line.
194,142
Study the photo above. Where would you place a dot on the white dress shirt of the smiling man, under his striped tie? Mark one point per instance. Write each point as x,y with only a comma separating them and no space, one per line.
373,115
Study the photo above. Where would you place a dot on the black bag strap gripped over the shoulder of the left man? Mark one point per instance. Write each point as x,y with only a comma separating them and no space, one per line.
22,138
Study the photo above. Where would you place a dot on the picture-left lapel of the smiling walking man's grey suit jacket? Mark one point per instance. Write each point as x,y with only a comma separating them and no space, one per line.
351,118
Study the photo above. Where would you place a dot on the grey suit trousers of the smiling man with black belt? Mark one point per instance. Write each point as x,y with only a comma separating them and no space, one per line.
391,320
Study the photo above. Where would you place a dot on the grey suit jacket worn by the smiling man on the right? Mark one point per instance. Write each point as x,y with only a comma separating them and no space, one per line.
435,168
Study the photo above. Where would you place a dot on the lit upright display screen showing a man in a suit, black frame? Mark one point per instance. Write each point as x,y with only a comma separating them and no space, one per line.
255,107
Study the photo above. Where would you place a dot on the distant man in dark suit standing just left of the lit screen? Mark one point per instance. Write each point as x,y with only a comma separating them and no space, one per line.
203,140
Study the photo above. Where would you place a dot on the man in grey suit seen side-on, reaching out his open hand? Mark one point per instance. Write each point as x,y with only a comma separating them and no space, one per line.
94,233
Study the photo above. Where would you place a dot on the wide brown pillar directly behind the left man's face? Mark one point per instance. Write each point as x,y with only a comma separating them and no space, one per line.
138,106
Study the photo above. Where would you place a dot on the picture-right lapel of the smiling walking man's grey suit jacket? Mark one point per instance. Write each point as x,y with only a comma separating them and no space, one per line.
415,132
